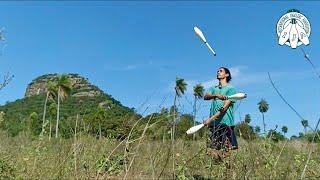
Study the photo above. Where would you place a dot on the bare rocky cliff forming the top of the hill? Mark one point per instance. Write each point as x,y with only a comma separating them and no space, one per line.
81,86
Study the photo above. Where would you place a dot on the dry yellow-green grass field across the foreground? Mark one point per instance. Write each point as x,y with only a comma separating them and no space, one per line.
86,157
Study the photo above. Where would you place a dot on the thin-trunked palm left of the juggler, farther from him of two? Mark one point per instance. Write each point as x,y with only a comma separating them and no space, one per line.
180,88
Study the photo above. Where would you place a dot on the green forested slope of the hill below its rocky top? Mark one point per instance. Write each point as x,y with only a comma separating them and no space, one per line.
17,113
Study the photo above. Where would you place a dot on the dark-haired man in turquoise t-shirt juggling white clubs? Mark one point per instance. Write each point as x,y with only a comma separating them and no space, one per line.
221,120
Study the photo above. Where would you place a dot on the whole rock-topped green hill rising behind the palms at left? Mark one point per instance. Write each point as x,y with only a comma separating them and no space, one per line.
85,104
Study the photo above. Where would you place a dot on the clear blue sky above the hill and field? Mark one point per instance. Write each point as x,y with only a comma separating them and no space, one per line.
135,50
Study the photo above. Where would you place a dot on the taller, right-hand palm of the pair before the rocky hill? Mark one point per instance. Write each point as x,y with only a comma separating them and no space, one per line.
64,87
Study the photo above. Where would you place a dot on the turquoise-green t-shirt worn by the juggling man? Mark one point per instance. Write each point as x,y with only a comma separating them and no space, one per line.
216,104
